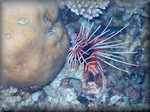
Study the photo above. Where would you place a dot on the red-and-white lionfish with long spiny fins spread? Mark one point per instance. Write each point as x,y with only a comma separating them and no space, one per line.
90,50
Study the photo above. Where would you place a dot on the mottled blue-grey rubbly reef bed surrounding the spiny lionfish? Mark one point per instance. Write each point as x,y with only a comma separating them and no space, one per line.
116,90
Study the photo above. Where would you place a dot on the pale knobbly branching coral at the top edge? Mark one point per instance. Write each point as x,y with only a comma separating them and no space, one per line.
87,8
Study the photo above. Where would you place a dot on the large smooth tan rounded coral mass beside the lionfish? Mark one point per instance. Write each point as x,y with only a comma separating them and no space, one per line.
34,43
